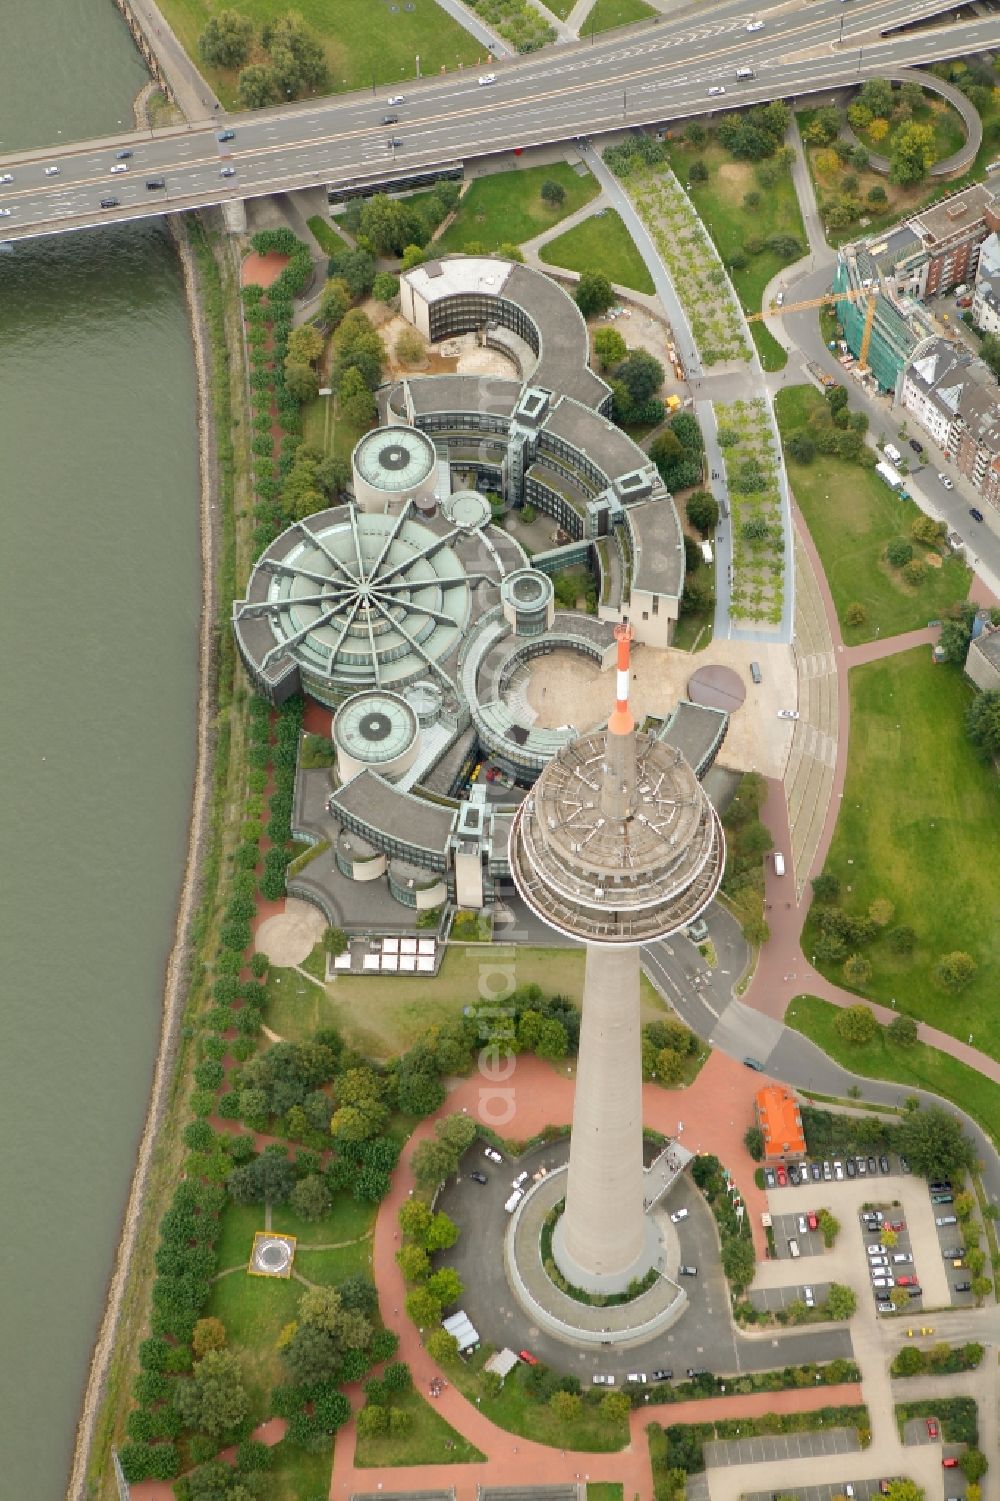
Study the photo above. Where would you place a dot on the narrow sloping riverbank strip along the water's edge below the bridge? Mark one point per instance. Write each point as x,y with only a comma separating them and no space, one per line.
142,1215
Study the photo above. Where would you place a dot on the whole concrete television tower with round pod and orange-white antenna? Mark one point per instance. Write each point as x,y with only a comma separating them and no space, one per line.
616,846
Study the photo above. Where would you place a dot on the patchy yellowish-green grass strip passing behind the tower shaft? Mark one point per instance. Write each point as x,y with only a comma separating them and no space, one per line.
388,1015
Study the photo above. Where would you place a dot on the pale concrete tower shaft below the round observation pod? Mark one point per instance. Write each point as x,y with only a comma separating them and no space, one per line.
603,1229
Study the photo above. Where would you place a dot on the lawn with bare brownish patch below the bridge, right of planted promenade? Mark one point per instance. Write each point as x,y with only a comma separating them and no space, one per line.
720,202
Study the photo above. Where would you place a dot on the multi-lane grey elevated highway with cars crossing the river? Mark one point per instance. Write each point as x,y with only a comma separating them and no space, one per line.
658,74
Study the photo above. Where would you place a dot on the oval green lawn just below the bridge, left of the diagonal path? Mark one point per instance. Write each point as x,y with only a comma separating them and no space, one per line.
508,208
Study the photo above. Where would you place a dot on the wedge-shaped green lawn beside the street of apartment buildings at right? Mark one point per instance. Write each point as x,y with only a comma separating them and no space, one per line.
852,516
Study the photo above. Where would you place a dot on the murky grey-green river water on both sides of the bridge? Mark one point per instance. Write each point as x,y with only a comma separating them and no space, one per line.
98,679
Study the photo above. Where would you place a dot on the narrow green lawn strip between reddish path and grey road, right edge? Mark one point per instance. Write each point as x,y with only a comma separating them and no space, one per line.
914,1068
